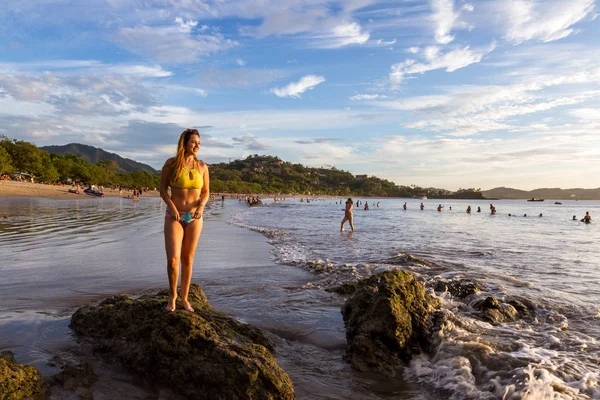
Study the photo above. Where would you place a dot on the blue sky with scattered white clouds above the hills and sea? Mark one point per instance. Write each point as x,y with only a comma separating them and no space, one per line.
442,93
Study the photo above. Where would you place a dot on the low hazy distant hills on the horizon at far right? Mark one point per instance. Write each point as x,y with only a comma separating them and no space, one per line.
544,193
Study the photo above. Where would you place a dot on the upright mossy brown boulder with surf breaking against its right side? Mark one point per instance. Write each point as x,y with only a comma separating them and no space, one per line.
387,320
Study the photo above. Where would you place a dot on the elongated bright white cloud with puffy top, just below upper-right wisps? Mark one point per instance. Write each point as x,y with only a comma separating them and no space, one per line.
451,61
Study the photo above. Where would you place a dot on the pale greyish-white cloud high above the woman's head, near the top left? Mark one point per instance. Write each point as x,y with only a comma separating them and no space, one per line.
172,44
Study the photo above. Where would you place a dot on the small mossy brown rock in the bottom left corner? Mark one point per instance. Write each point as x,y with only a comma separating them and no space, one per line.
18,381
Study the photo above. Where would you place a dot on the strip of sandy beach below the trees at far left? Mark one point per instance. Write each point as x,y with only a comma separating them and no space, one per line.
27,189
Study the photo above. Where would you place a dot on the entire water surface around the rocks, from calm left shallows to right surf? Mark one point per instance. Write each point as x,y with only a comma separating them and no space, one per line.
269,266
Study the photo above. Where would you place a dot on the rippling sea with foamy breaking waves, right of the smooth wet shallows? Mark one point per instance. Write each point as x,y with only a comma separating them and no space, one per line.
551,261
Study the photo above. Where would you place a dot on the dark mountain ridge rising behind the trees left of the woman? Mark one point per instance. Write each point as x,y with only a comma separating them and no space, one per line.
94,155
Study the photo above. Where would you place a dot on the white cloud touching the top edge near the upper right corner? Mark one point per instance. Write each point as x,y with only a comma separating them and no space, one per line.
545,21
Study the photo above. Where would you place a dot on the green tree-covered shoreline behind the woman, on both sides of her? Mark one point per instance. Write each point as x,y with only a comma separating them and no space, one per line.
255,174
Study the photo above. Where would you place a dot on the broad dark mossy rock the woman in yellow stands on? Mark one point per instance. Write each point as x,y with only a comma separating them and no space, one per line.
202,355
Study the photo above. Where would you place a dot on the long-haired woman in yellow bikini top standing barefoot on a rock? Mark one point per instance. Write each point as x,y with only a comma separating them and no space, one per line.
189,182
